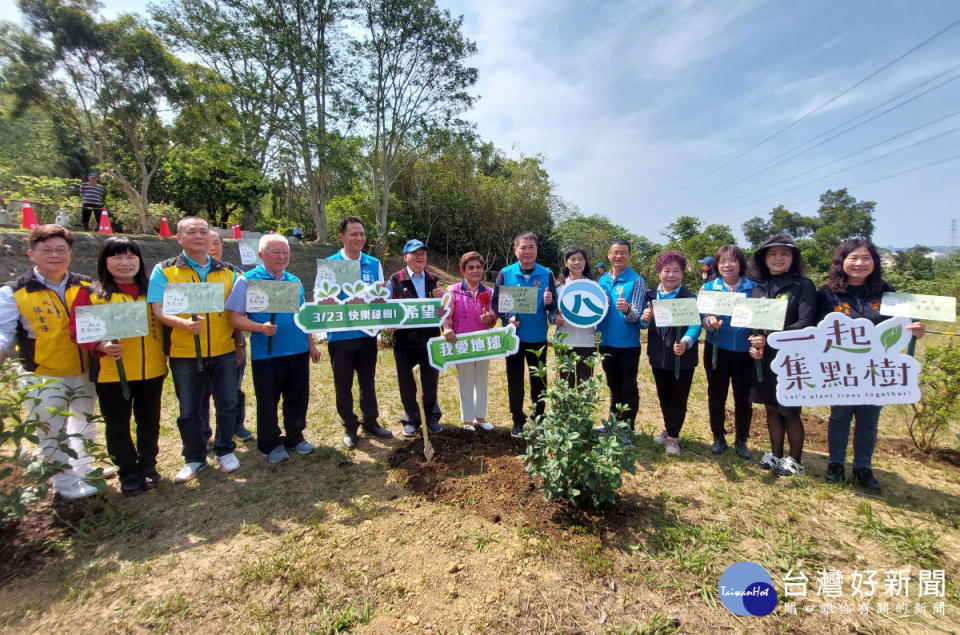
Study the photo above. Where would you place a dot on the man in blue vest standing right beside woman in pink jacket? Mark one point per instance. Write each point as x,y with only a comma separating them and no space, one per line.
531,327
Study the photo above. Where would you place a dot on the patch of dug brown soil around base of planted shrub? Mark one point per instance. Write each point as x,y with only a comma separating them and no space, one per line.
480,472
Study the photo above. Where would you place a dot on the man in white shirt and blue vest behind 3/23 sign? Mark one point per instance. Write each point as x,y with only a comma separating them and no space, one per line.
355,351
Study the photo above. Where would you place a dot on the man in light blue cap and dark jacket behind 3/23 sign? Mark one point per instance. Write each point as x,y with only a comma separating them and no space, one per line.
410,345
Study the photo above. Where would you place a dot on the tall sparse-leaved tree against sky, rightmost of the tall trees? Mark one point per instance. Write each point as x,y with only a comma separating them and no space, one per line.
413,79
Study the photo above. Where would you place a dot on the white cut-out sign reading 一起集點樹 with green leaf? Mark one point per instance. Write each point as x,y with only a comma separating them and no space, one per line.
845,361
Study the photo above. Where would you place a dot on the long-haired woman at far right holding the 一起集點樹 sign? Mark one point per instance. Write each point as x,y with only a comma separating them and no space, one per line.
855,287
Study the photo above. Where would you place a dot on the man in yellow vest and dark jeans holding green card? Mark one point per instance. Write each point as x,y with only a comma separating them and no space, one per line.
217,349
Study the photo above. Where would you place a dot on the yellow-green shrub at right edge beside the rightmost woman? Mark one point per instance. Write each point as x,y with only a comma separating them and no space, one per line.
939,403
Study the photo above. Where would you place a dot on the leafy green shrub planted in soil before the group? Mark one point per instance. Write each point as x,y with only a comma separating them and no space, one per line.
574,461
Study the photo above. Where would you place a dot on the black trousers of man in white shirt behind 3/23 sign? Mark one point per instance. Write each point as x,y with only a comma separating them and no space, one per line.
357,355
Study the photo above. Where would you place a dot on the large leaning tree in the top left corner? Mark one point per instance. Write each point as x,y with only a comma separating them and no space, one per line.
112,82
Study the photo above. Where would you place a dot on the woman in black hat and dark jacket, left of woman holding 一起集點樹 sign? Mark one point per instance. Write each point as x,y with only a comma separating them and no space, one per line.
777,267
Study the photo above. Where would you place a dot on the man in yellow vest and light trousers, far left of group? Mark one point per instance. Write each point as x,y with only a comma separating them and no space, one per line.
34,313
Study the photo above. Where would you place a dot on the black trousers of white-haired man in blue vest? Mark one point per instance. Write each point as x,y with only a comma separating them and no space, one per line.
287,376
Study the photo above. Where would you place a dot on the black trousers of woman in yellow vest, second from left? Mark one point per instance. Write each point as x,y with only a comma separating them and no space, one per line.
131,459
